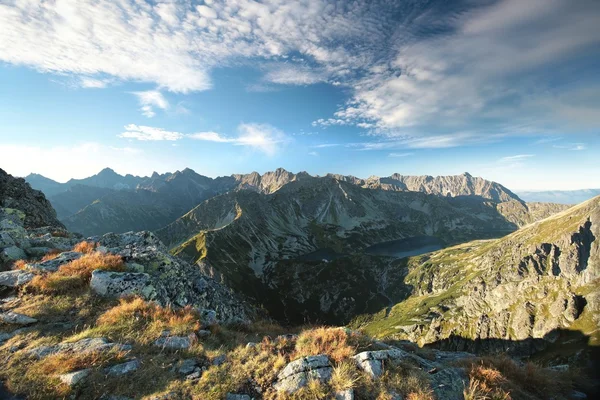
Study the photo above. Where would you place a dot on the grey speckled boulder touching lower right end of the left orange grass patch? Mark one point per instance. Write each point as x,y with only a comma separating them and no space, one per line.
117,284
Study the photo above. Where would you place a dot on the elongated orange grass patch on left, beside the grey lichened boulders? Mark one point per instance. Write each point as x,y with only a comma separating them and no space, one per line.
75,275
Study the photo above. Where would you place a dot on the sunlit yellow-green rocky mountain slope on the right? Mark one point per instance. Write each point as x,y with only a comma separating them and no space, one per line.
540,278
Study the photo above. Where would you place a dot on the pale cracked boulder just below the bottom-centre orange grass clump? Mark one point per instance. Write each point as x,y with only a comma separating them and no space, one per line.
297,373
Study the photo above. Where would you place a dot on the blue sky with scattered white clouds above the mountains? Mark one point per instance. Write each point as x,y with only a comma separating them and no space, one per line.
508,89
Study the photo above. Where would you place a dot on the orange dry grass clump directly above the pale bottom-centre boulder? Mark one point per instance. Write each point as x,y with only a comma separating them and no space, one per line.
337,343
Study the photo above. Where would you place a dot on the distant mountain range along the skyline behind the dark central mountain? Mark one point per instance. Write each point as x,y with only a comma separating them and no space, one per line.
97,204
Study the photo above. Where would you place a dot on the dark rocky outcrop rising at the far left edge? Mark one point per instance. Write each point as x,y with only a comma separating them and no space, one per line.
15,193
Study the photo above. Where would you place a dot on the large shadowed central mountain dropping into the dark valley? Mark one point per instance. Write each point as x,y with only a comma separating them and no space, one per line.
260,241
